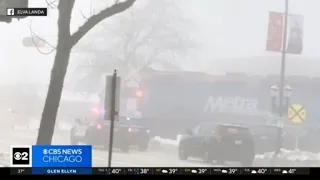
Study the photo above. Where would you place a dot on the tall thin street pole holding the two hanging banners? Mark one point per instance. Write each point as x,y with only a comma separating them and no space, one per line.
282,74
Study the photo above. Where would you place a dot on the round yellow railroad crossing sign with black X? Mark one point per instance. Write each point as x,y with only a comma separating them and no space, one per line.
297,113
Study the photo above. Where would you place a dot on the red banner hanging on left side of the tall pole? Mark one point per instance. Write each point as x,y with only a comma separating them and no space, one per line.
275,32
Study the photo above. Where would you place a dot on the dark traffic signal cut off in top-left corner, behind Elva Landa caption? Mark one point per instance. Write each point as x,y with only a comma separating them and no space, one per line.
11,4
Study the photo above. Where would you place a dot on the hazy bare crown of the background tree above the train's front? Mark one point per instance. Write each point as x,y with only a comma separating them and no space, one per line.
145,36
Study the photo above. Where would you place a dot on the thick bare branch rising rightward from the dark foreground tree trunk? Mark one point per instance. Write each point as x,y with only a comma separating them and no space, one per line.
97,18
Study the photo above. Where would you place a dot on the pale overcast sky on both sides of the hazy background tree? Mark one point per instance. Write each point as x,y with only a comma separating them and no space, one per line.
226,28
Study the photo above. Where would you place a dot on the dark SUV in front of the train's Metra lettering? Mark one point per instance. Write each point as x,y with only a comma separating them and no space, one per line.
218,142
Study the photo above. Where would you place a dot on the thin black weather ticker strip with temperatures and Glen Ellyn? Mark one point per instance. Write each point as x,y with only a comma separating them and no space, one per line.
163,171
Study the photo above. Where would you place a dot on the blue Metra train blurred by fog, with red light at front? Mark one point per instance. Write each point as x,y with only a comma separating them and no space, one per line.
169,102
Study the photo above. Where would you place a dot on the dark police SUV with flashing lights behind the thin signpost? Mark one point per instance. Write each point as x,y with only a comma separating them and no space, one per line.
127,132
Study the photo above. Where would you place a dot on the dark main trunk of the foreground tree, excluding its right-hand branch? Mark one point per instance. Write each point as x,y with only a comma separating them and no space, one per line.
58,73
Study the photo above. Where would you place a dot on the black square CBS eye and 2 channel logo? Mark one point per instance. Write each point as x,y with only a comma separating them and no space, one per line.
20,156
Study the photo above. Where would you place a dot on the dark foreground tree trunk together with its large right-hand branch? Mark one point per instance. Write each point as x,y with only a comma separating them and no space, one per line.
59,70
